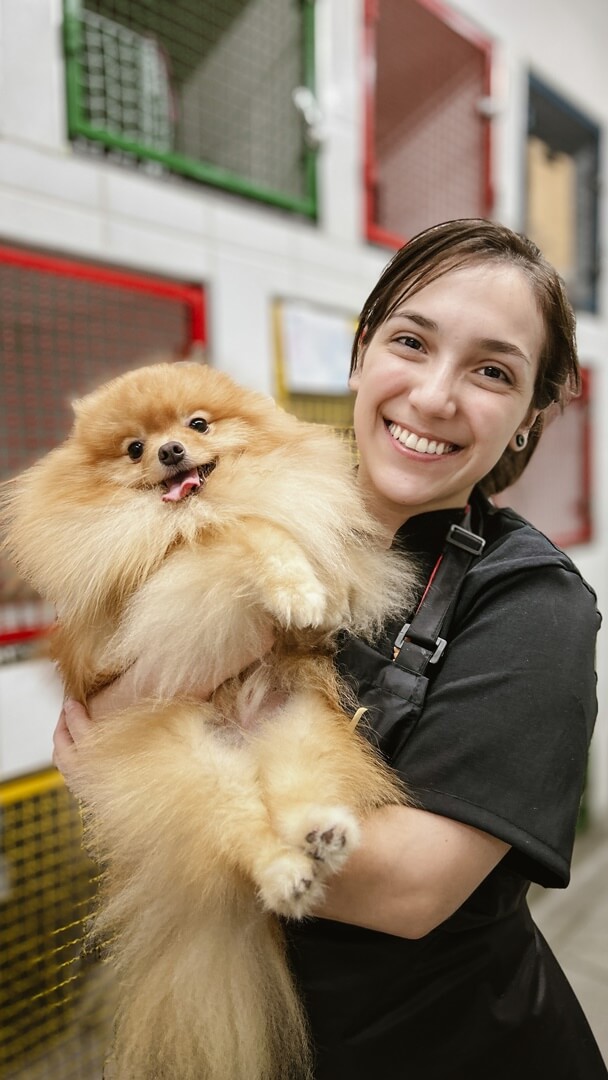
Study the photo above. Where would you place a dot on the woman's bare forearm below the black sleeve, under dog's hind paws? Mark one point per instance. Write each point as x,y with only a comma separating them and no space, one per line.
412,872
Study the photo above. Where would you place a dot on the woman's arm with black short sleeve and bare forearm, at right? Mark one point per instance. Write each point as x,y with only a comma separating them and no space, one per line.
517,765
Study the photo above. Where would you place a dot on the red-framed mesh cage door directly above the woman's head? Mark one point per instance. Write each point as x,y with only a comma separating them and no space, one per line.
428,138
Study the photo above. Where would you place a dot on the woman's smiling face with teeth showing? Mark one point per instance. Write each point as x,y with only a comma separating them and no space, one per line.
443,387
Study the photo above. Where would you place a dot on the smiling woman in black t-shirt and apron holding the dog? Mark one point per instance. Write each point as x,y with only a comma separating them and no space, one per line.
425,961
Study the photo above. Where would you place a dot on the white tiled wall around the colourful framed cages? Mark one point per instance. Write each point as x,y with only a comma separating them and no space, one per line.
248,254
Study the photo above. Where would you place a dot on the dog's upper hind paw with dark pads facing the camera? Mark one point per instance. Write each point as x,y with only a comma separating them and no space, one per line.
328,835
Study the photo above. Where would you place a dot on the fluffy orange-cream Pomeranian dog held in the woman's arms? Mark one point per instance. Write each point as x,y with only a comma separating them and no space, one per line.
184,524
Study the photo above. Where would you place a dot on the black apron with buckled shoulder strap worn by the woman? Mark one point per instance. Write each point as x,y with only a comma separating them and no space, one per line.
482,996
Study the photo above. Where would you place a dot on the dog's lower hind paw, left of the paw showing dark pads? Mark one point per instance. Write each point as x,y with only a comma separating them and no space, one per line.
290,886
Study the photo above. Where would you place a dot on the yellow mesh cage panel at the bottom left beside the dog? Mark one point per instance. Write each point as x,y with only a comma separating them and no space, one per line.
55,1003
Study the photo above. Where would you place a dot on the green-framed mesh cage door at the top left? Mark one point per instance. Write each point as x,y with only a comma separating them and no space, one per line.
204,88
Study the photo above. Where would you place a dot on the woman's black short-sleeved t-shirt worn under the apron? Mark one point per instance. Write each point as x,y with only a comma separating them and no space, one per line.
504,738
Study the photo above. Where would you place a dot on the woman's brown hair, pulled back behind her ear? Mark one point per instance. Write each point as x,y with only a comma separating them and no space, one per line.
465,242
